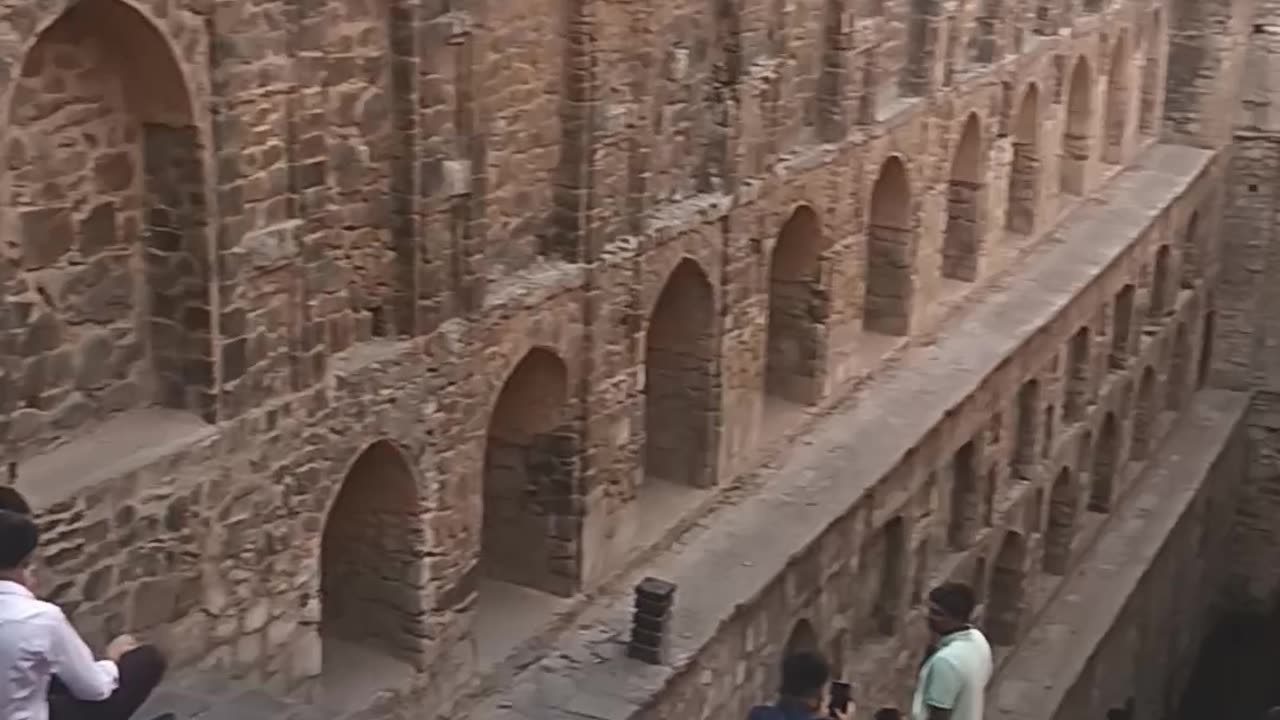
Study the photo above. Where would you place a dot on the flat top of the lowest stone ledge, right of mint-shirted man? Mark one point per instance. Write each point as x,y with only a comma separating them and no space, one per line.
1035,682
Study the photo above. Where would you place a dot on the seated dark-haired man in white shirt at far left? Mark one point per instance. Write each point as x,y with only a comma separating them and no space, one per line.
47,671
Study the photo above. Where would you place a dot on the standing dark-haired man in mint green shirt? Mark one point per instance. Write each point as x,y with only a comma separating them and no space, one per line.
954,678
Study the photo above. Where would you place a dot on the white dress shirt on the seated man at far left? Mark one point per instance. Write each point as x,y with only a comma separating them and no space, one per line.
36,644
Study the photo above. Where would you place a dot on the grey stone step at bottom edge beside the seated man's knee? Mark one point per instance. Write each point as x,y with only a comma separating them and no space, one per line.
207,698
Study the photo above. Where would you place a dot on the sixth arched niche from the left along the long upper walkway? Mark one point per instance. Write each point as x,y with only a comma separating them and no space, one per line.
962,243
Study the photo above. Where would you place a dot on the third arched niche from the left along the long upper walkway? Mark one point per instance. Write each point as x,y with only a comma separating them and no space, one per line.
680,366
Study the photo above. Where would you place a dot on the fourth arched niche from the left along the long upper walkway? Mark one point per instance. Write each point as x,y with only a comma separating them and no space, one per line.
797,332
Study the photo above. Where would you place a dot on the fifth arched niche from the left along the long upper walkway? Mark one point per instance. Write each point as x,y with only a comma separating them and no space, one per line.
890,253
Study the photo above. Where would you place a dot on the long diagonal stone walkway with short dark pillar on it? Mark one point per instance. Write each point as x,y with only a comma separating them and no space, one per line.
819,482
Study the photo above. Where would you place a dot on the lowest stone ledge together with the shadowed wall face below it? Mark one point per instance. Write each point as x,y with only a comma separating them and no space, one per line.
1156,569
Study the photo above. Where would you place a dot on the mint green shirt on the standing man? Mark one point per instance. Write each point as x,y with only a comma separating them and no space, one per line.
956,677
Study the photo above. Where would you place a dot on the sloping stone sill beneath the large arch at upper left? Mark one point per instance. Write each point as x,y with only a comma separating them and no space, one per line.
118,448
